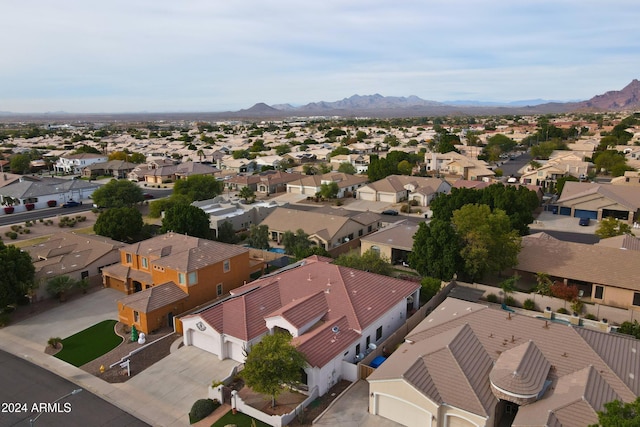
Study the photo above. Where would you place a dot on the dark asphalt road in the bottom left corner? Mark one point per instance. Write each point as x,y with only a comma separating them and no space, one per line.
24,384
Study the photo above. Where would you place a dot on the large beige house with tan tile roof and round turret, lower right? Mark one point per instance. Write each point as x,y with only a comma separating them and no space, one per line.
470,365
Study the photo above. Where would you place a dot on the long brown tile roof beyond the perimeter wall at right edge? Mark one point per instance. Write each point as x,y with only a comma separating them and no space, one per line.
588,263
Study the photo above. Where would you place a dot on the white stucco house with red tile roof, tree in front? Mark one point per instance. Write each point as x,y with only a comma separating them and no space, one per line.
335,315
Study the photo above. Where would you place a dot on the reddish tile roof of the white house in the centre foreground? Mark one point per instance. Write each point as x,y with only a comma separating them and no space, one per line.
352,299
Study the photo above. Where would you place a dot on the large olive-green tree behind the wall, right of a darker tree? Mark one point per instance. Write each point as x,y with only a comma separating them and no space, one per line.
490,245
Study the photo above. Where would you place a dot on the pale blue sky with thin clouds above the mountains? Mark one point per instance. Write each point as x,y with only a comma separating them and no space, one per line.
205,55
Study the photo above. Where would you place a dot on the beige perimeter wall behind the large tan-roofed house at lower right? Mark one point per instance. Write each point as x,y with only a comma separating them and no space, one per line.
612,314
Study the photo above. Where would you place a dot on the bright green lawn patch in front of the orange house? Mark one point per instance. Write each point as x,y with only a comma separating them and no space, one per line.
89,344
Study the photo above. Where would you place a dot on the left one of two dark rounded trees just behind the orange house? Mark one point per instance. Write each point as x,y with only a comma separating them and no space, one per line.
121,224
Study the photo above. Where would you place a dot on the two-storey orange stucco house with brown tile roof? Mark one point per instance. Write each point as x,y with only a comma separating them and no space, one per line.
172,273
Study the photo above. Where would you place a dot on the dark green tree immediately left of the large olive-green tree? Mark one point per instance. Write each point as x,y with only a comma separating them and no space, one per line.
436,250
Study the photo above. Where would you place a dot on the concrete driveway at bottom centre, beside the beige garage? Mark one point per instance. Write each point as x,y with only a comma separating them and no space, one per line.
351,410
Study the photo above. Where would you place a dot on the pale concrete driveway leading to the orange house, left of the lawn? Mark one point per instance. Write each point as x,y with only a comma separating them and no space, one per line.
69,317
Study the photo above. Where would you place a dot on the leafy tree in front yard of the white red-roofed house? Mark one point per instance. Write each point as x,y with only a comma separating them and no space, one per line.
273,364
